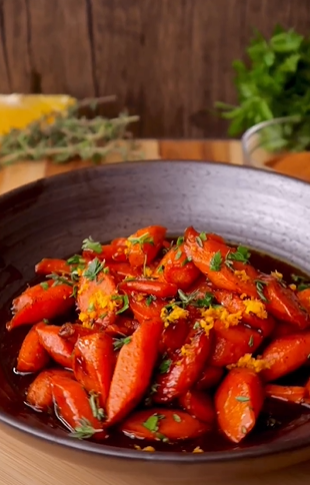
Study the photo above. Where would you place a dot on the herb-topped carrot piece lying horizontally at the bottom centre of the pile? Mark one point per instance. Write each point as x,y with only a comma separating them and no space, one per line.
163,424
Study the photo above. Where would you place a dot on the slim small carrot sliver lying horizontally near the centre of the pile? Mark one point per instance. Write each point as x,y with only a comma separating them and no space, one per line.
160,289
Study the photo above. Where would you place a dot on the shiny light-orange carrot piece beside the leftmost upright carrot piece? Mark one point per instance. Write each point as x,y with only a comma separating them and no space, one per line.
59,348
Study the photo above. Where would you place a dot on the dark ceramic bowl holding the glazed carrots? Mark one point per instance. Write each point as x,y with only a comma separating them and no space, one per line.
50,218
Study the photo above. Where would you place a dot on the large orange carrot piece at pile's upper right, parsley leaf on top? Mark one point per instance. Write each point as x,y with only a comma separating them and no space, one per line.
204,255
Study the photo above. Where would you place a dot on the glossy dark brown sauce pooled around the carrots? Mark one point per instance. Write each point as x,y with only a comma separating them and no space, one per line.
276,418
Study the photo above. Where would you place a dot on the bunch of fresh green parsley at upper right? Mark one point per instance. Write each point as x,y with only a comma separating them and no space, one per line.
274,84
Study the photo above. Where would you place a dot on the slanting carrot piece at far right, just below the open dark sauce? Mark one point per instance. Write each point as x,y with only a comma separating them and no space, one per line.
283,303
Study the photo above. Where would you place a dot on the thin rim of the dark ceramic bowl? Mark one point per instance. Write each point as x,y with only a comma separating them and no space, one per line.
232,455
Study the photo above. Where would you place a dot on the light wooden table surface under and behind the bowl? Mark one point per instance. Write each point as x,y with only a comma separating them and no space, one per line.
21,463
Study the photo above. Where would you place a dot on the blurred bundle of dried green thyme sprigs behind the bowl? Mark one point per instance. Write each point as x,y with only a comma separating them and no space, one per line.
63,136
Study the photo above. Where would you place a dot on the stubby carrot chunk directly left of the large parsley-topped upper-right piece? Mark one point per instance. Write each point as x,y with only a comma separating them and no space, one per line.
177,269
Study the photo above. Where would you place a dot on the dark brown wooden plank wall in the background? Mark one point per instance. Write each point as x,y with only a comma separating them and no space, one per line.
166,60
